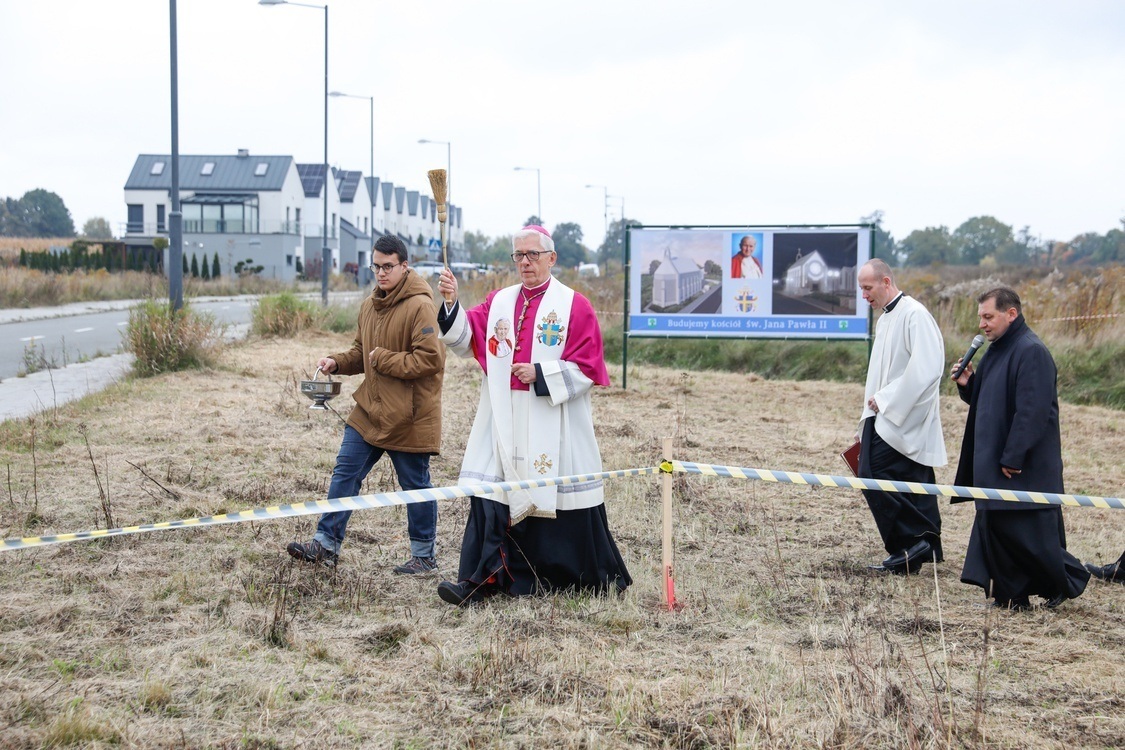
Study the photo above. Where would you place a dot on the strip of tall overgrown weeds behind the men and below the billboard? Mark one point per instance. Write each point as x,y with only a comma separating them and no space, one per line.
1081,315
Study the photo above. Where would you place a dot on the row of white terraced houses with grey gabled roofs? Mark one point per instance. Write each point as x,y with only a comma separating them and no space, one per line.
268,212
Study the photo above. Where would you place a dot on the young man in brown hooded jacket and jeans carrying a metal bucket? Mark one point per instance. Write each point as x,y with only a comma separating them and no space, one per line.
398,406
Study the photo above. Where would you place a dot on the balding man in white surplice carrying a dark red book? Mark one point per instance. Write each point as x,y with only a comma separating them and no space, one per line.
902,423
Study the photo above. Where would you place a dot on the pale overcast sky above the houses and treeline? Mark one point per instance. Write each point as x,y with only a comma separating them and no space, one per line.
698,113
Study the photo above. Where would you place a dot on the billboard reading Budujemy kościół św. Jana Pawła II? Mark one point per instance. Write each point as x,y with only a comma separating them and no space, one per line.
754,283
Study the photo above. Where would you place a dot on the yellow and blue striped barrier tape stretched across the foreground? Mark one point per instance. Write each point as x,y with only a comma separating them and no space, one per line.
406,498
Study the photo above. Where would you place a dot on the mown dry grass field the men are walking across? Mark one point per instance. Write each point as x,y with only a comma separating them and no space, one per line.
214,638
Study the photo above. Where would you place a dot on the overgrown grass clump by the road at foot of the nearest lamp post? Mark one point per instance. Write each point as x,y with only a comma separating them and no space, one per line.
165,341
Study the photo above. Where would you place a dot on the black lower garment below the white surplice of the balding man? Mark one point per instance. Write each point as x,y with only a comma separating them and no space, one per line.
903,519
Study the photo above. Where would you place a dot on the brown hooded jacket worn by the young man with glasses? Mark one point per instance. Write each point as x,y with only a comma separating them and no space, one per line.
399,404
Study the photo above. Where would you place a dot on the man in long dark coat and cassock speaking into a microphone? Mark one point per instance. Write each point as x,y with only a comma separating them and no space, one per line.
1013,442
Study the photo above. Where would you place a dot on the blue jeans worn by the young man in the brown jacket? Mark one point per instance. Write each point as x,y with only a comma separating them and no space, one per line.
355,462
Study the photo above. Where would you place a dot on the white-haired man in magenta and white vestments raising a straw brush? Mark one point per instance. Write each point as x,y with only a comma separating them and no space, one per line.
534,421
